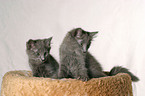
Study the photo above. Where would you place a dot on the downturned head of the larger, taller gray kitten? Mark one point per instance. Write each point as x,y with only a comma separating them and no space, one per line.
83,38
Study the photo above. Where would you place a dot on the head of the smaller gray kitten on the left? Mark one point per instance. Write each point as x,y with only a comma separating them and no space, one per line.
38,50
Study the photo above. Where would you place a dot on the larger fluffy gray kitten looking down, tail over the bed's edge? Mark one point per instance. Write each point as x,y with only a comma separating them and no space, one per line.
76,62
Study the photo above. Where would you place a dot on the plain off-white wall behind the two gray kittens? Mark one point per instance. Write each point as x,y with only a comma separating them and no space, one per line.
121,26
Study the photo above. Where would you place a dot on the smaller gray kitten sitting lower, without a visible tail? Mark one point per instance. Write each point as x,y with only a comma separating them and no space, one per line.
40,61
